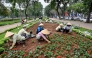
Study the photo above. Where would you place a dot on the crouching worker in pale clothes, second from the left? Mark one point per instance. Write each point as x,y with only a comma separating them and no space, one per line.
24,33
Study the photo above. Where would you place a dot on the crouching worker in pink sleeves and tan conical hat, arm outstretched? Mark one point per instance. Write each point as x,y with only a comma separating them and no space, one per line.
42,35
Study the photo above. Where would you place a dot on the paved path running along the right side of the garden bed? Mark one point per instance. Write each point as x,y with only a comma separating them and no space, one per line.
77,23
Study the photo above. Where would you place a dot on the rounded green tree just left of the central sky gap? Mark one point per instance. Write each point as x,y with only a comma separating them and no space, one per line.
35,9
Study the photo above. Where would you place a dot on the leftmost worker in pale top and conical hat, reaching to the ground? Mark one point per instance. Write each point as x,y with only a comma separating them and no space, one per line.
15,38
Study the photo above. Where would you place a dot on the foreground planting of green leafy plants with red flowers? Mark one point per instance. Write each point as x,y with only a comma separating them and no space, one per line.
63,45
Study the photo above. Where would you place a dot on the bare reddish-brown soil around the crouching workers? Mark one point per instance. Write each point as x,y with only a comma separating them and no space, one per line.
32,43
